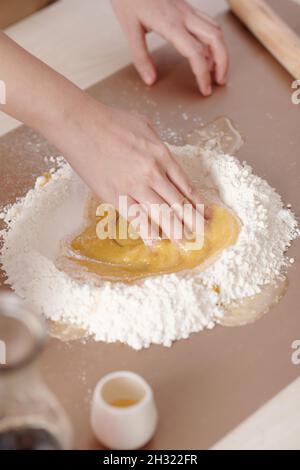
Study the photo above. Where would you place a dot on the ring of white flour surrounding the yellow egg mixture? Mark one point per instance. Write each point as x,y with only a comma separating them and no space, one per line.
159,309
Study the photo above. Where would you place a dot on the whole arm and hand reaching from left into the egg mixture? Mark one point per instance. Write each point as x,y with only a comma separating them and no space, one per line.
115,152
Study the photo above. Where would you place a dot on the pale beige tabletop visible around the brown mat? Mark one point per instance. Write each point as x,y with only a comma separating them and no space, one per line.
82,40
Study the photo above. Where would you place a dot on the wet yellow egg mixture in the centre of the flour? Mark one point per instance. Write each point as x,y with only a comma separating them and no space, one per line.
129,260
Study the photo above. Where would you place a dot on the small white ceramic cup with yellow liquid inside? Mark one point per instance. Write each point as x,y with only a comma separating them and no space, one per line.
123,427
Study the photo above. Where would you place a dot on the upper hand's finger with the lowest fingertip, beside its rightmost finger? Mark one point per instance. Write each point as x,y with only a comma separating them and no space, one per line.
194,51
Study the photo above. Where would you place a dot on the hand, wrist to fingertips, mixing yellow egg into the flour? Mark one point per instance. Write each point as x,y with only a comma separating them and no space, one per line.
118,154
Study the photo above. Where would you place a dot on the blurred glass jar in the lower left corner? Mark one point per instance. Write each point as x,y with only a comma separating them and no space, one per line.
30,416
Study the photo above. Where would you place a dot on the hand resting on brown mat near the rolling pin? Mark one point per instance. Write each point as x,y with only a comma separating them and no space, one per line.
193,33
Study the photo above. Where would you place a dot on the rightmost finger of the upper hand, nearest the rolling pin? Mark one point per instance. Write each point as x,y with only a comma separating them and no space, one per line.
213,38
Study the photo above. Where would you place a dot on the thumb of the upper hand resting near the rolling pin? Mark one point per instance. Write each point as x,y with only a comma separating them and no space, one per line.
141,56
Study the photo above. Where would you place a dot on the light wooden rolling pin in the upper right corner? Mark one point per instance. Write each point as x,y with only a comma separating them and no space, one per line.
280,40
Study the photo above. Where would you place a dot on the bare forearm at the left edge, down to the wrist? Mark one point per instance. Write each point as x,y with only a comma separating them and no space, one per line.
36,94
